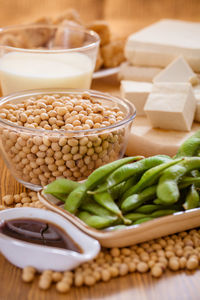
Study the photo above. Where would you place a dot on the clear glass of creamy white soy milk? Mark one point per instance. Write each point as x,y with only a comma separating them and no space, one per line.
46,56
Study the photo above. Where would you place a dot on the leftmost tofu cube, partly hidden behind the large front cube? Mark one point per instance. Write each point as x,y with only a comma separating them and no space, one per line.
136,93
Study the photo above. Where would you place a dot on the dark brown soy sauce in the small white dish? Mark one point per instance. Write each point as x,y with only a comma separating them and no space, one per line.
39,232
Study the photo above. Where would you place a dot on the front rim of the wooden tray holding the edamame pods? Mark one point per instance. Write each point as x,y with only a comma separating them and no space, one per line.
133,234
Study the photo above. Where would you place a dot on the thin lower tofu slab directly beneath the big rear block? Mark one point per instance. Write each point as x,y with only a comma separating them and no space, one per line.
135,73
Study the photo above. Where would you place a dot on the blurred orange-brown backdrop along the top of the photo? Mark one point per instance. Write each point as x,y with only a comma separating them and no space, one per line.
124,16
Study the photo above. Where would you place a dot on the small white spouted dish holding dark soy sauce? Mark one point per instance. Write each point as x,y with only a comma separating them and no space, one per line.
23,254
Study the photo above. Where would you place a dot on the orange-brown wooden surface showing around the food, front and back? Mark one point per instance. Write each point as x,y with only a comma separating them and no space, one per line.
133,15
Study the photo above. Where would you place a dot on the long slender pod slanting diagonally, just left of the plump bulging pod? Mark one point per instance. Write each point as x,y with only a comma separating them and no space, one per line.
150,177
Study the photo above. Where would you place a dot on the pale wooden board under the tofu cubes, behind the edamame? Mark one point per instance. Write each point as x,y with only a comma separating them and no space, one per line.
148,141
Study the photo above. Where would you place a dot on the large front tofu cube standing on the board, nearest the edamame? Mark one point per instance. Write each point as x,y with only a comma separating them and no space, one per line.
171,106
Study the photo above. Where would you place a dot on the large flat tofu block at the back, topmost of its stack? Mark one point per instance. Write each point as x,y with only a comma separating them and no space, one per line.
158,44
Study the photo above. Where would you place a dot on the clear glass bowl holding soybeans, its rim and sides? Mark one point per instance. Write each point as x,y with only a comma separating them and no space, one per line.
36,157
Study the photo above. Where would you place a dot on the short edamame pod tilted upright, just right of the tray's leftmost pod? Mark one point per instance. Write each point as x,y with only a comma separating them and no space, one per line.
75,198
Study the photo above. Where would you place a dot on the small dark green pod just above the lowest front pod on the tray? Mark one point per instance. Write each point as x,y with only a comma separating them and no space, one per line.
92,207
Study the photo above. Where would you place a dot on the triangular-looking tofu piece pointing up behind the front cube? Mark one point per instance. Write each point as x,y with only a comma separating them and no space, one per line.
177,71
